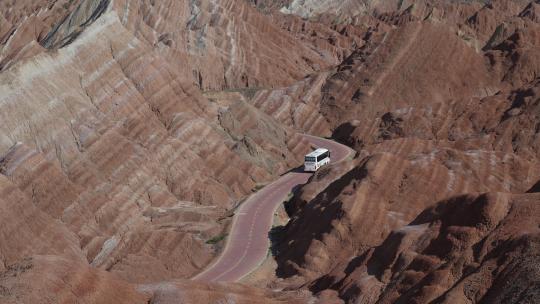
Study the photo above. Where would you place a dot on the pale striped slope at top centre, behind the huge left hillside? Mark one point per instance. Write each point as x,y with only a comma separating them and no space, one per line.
220,44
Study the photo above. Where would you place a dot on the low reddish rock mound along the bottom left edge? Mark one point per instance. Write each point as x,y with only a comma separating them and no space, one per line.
45,279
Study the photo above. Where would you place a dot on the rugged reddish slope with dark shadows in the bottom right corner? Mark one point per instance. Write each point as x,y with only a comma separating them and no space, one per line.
474,248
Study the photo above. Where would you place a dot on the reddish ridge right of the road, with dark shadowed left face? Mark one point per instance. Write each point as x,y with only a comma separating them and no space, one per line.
384,191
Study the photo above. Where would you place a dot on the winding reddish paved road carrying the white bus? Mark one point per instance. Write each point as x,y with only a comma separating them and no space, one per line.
248,243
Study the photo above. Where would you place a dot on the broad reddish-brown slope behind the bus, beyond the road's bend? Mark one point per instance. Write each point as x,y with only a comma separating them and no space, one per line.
376,77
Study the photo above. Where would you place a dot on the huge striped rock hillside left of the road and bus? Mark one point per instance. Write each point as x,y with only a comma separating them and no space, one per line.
111,155
